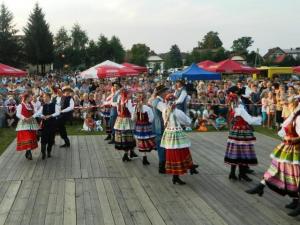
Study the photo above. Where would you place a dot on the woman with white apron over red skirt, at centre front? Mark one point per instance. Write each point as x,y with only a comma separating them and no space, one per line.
178,156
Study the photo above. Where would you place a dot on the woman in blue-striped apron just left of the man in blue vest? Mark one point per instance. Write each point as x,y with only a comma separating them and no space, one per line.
143,117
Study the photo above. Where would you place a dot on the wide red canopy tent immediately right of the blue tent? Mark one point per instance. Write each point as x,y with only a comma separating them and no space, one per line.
231,67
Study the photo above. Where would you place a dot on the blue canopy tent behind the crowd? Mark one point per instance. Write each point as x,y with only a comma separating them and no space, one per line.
194,73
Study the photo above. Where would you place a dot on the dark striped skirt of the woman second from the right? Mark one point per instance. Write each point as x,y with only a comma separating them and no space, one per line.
240,148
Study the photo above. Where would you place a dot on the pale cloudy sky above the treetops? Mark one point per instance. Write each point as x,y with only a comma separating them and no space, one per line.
162,23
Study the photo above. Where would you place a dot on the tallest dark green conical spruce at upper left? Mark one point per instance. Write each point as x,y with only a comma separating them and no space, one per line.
38,39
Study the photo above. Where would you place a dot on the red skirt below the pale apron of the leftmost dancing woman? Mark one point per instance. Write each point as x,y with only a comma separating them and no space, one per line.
26,140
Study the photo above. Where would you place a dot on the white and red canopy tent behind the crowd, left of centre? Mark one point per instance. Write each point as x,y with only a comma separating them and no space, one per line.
108,69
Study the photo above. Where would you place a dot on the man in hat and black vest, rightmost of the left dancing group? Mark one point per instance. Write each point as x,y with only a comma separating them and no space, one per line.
67,107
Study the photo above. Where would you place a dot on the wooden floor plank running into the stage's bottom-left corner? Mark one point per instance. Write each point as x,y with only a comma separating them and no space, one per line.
8,200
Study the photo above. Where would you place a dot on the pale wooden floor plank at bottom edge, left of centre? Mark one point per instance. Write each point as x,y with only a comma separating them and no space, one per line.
70,203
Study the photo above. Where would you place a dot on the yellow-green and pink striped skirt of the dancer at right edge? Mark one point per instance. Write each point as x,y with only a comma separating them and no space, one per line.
283,175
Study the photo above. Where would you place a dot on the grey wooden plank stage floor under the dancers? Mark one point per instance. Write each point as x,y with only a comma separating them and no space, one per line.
89,185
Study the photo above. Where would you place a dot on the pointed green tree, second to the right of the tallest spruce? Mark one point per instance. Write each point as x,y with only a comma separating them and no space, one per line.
79,42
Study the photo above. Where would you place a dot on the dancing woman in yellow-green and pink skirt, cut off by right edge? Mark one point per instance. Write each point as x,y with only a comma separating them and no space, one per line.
283,175
